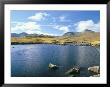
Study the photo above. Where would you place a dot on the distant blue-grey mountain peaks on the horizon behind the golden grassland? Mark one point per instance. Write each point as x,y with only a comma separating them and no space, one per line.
24,34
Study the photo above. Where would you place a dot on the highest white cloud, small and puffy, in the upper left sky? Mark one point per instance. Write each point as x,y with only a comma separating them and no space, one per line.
38,16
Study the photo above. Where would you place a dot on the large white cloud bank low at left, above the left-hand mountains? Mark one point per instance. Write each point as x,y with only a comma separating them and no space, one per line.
29,27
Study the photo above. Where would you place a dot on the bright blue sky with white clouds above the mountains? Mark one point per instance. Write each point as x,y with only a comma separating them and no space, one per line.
54,22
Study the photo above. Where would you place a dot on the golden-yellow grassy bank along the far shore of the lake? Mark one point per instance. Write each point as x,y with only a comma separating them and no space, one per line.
56,40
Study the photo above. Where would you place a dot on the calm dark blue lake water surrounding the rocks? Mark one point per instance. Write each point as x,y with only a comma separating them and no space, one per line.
32,60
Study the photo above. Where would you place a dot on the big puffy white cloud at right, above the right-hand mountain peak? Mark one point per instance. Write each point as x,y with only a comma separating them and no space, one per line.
89,24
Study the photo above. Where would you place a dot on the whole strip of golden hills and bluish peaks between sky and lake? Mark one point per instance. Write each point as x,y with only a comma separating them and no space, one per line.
86,37
